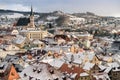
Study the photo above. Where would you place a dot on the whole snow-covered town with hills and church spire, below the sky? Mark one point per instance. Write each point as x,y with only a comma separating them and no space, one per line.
59,46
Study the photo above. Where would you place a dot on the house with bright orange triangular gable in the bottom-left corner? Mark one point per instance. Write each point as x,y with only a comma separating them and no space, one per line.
8,72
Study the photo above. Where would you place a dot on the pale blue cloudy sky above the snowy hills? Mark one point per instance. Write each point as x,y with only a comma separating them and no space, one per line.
99,7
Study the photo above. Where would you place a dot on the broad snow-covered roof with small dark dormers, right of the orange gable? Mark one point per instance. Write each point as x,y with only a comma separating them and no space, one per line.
40,71
